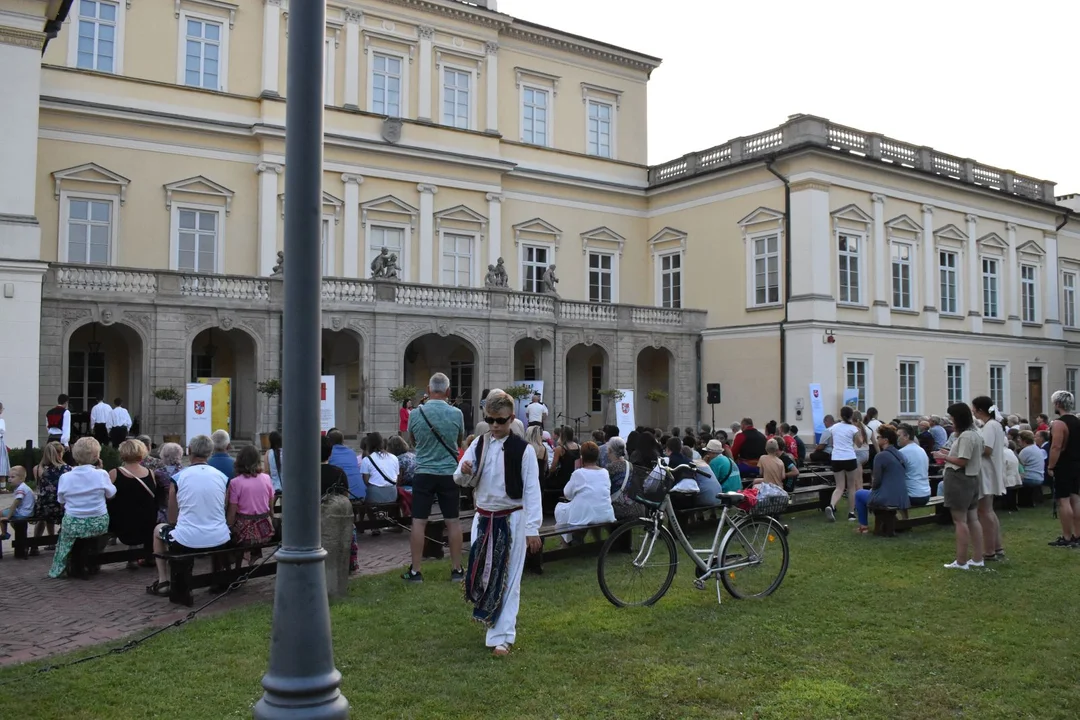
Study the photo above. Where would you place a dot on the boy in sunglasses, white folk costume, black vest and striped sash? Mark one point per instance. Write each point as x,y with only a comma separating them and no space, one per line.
507,523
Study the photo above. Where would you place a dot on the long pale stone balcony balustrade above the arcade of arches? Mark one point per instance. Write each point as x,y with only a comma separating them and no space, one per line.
77,284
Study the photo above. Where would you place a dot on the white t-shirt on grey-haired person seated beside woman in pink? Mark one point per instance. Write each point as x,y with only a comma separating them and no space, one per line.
200,495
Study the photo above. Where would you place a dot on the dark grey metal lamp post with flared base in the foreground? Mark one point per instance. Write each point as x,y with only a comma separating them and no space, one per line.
302,681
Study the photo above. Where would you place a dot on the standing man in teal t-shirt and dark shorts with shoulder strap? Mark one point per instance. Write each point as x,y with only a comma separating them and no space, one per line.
438,429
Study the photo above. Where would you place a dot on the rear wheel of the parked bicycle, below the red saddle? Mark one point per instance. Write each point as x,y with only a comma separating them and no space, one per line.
765,548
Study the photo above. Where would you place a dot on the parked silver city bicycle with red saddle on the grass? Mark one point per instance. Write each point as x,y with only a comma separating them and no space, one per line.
754,547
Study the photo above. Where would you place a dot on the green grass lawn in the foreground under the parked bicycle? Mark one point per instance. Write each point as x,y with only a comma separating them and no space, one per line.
862,628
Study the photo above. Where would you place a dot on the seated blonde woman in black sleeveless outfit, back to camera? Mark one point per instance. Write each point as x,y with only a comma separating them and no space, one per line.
133,511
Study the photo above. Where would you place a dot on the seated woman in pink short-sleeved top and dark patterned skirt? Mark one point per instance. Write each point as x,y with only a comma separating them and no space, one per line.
251,498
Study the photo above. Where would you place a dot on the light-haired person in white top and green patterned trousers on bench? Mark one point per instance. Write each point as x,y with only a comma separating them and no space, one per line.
83,492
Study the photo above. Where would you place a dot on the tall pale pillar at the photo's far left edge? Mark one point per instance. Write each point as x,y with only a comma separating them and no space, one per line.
21,271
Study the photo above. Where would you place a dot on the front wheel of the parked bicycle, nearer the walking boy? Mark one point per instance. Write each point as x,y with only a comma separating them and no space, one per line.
637,565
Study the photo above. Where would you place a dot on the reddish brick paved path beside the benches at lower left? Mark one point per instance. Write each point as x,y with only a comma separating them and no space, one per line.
40,617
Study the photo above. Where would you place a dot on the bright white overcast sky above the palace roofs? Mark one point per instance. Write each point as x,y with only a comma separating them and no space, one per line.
994,80
